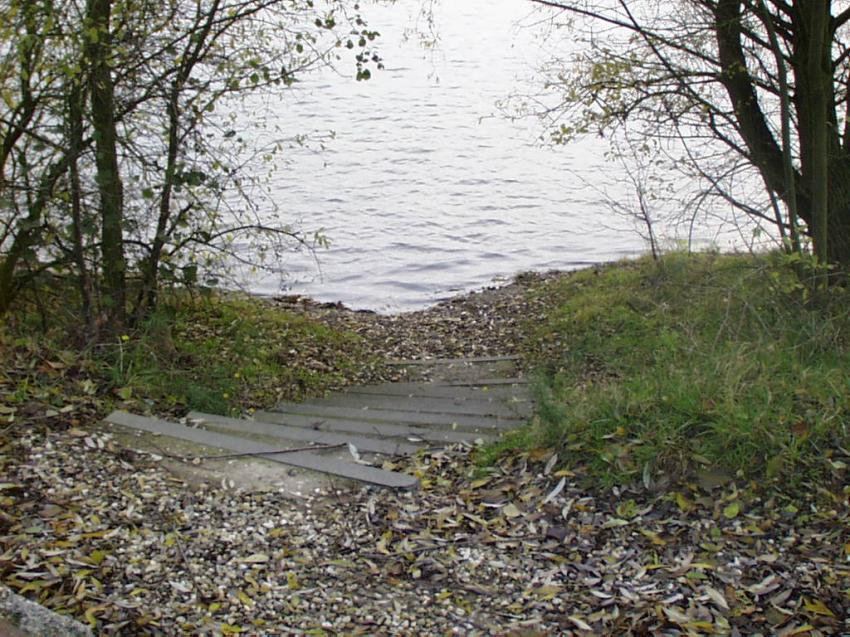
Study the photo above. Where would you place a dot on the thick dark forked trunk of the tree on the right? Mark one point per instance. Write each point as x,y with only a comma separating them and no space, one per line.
823,180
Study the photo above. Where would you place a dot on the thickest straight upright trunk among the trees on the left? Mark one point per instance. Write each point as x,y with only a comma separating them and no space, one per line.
109,183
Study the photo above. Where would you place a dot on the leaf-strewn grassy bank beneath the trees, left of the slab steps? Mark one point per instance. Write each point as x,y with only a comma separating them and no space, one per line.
219,353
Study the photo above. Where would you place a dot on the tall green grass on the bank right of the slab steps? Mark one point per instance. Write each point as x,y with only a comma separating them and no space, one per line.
700,361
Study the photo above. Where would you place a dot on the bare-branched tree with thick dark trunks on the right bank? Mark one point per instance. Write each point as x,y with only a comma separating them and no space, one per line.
713,75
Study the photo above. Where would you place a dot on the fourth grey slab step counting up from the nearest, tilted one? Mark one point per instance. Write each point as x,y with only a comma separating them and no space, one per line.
361,410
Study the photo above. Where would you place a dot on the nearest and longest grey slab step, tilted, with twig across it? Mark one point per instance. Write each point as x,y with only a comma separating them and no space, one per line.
301,459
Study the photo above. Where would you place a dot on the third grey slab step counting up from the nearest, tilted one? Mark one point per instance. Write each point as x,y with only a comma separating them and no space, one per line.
382,430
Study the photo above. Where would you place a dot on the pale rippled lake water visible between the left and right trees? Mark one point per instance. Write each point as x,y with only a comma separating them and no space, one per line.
425,190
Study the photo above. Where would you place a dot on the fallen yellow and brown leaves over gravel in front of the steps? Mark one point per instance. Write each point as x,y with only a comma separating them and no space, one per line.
90,530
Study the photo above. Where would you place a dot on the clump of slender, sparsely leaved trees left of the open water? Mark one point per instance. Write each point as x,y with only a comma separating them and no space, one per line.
118,143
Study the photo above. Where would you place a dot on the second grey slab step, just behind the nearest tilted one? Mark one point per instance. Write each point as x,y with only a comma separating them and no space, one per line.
242,425
